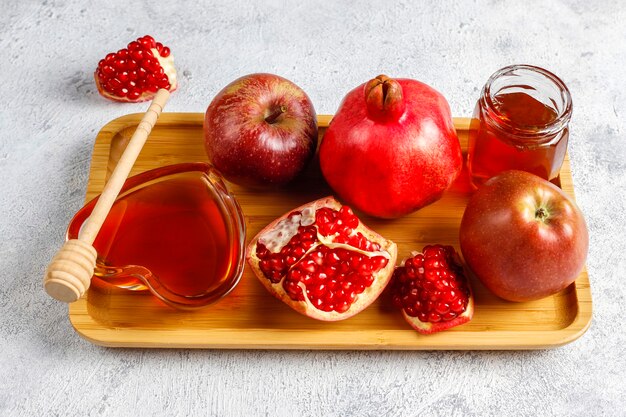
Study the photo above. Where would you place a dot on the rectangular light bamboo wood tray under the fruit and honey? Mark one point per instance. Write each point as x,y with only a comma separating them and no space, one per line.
251,318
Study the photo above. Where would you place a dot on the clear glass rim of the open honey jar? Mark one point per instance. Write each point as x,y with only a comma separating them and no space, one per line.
557,124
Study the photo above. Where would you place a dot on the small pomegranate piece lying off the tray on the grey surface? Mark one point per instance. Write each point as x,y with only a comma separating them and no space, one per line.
137,72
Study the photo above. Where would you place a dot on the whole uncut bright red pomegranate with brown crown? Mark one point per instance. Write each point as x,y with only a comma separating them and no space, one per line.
391,148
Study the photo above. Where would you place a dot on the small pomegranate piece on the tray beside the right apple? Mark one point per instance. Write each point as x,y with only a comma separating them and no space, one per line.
432,290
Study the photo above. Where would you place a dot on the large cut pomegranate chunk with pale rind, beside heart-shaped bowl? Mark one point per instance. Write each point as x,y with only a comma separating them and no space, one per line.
322,261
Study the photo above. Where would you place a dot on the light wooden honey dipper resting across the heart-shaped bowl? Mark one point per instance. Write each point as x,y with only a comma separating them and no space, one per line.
69,274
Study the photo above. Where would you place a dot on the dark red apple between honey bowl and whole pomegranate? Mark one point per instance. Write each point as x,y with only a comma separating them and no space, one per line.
260,130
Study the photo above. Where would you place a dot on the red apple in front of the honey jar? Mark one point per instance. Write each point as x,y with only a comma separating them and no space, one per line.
523,237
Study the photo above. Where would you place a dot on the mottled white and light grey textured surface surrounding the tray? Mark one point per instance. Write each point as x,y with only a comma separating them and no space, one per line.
51,112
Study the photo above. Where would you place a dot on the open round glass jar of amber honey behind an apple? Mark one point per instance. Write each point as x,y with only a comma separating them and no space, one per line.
520,122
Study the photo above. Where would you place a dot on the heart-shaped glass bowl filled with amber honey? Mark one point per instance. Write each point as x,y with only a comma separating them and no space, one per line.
175,231
